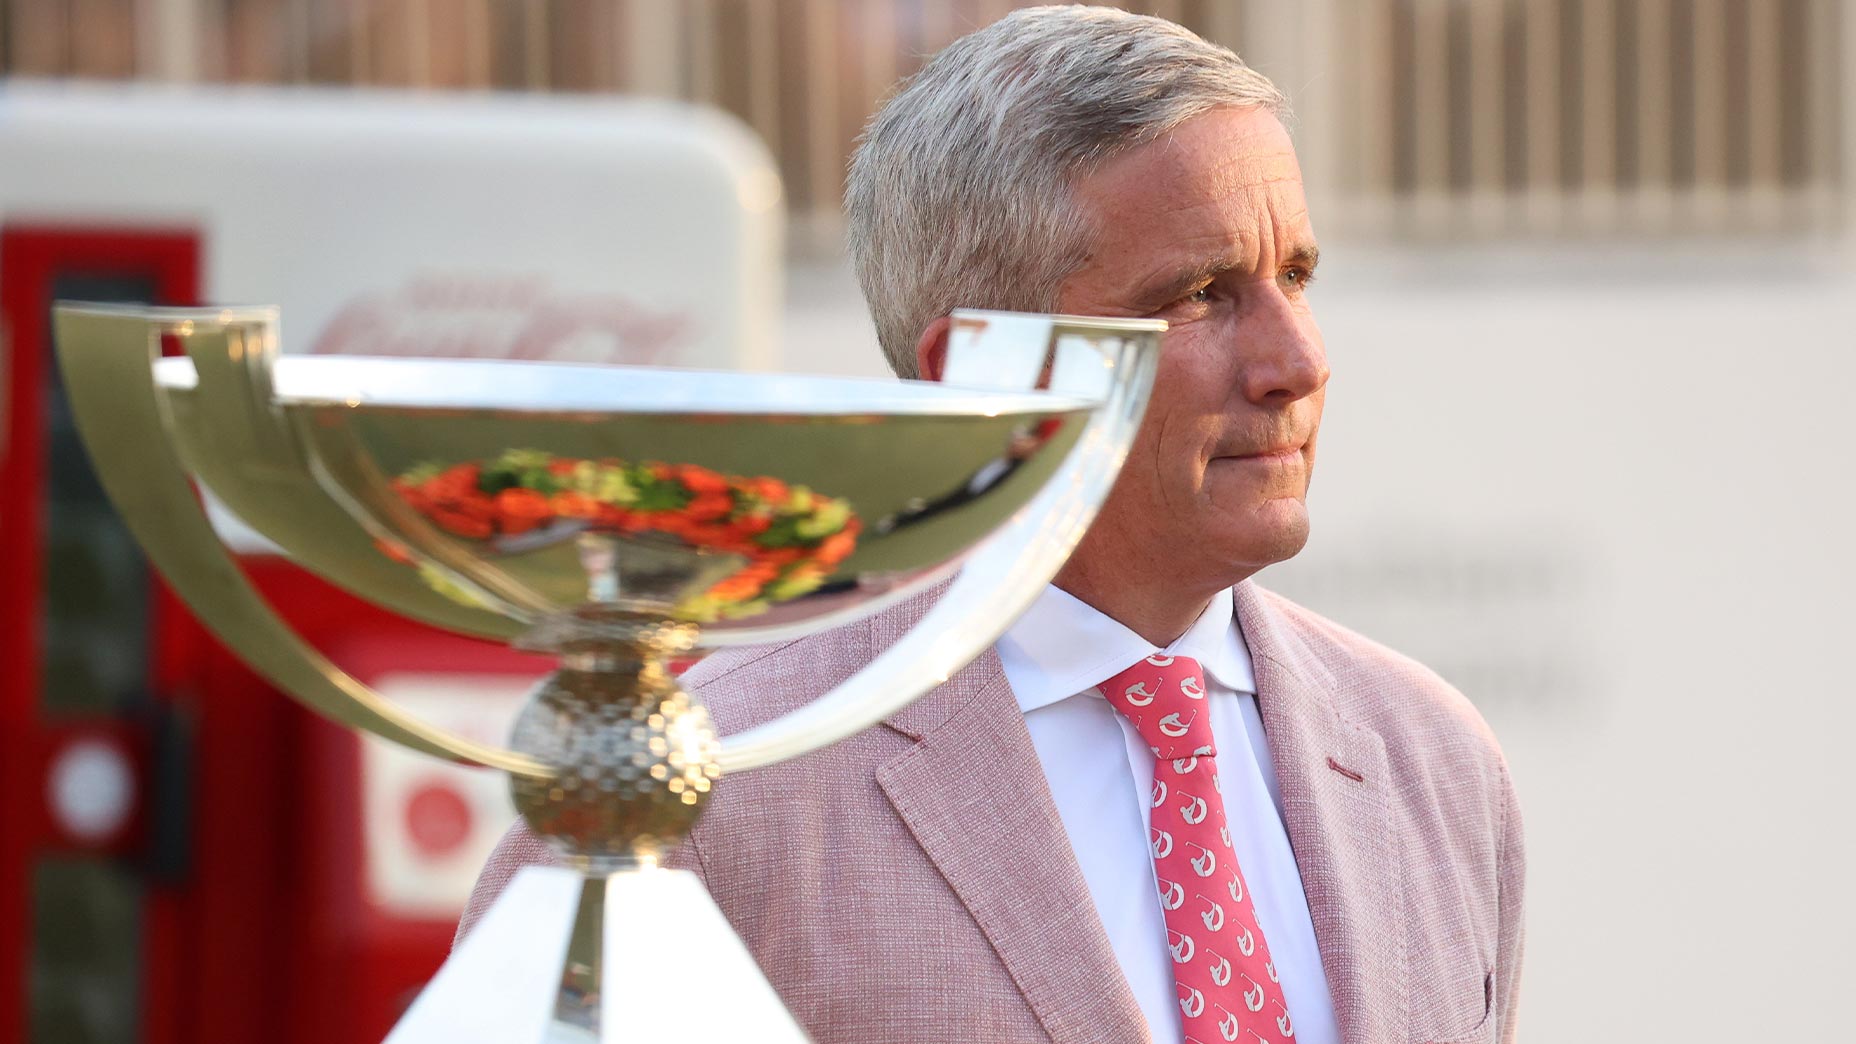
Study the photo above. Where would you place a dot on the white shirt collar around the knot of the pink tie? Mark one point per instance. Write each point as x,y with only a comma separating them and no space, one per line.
1063,647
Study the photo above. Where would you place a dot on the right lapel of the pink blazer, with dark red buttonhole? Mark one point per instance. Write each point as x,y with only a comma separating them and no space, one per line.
1337,807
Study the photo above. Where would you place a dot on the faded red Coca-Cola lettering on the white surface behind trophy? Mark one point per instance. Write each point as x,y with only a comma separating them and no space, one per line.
472,317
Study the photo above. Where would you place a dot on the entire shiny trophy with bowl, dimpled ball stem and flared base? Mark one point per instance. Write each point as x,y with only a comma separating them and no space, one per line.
612,517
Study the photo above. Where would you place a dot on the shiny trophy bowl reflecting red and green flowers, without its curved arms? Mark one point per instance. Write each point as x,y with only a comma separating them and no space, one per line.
560,495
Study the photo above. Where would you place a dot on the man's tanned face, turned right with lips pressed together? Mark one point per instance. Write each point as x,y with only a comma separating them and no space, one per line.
1209,229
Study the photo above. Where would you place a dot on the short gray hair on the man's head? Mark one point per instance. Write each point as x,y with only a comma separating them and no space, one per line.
960,190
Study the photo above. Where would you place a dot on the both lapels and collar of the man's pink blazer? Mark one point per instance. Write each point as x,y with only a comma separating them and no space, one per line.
973,794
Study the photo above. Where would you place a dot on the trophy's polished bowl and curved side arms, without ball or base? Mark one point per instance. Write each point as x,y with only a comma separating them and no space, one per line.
495,501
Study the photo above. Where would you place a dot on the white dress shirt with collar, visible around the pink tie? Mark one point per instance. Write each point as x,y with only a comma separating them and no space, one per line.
1102,772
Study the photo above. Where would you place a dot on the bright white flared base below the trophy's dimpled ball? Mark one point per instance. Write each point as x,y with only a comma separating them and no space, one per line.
567,959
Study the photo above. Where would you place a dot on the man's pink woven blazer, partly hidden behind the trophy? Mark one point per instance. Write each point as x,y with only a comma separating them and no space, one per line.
916,885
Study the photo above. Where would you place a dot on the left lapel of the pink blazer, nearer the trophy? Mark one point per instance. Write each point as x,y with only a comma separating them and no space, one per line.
975,798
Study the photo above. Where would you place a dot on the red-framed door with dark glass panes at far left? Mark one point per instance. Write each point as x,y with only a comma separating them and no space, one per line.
94,748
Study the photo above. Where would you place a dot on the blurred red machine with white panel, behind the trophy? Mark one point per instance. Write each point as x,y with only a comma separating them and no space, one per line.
185,854
